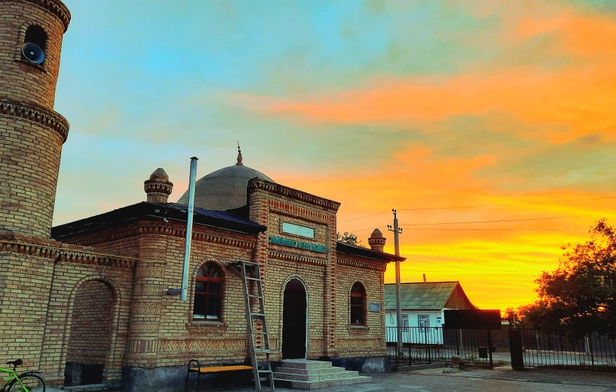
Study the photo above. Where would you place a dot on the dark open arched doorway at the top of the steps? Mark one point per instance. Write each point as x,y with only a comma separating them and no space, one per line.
294,320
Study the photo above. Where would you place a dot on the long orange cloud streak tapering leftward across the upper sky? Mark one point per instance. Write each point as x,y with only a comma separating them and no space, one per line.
583,100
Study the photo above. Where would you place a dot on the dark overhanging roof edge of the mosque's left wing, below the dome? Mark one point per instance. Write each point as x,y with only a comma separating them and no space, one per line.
160,211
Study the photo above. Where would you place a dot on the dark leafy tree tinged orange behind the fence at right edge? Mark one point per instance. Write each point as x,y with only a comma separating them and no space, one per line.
579,297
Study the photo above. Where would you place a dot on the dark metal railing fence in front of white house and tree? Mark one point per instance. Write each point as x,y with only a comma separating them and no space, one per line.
436,344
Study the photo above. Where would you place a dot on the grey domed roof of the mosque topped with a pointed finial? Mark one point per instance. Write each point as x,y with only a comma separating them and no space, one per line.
224,189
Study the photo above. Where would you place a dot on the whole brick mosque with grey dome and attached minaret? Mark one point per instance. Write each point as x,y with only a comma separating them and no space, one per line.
94,300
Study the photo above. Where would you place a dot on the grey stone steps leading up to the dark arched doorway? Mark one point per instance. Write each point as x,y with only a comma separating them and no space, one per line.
306,374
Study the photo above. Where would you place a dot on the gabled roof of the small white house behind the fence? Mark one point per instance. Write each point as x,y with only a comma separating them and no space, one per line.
426,296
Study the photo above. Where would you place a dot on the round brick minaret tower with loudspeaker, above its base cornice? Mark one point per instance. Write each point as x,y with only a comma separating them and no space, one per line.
31,132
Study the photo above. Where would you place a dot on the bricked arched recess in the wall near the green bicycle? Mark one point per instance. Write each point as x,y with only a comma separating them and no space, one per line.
89,343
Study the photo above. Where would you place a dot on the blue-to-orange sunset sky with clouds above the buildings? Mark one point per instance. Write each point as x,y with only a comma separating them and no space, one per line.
489,125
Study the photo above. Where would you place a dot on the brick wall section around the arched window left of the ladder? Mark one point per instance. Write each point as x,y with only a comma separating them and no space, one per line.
181,337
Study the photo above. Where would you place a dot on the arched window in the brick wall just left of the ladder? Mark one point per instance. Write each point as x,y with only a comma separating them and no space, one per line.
208,293
